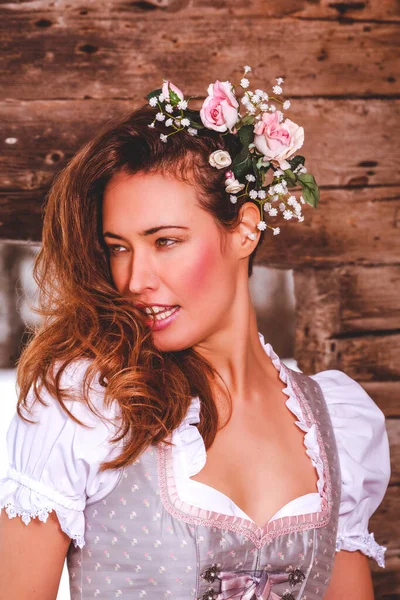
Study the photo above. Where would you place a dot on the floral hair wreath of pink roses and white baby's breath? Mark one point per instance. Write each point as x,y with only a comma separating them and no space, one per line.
268,141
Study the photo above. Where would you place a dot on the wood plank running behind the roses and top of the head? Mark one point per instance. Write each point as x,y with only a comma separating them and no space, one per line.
347,142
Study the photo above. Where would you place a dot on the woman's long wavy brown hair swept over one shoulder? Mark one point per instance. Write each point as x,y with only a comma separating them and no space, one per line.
84,316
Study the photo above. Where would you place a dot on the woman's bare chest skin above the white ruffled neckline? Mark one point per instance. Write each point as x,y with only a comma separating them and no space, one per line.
259,461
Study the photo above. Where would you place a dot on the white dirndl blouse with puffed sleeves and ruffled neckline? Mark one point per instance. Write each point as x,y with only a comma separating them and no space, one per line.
53,465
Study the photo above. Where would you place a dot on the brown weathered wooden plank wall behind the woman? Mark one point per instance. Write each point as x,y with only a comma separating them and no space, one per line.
69,66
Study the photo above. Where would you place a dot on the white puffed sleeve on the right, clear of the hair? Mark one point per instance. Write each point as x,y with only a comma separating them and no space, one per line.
364,456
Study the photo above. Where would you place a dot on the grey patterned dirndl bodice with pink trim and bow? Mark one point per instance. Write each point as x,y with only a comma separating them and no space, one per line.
142,541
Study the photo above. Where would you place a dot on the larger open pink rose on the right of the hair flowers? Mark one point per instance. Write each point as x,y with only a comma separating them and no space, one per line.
277,141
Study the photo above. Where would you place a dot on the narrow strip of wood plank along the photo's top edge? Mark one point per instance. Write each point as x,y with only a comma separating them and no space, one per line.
388,10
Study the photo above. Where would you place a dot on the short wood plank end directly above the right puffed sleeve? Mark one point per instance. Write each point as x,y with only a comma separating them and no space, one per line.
324,298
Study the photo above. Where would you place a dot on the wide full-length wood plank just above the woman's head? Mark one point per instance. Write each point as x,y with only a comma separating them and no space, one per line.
122,51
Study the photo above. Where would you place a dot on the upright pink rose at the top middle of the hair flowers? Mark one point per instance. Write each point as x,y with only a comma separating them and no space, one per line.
220,108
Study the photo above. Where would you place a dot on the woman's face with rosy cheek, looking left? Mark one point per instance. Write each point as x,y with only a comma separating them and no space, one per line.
165,250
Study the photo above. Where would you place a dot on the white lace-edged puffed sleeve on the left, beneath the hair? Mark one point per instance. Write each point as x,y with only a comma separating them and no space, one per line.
53,463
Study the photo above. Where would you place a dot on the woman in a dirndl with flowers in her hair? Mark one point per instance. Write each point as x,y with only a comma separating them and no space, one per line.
265,483
